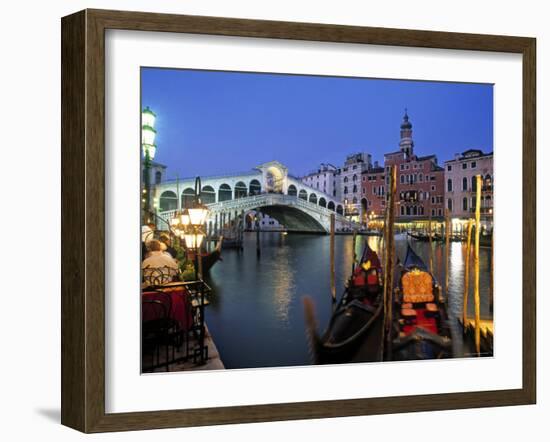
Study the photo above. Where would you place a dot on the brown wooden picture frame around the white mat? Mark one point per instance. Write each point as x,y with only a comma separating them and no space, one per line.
83,219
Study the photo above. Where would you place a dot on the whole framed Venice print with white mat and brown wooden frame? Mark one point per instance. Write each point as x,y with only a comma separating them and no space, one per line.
267,220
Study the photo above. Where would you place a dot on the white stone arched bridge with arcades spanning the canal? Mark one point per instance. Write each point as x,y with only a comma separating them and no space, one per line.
267,188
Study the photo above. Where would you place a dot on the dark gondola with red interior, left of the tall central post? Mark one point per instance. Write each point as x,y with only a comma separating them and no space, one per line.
353,331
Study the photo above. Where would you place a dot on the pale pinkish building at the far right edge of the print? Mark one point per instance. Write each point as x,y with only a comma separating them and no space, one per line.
460,183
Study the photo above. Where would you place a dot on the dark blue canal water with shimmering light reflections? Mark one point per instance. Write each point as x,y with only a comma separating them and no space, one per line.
256,316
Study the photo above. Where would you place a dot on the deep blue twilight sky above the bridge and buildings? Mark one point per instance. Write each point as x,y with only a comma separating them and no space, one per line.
211,122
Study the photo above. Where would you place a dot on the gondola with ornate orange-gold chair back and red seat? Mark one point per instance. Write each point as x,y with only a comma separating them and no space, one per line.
421,323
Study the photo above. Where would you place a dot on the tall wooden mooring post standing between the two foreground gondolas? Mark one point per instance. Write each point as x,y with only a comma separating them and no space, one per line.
388,265
